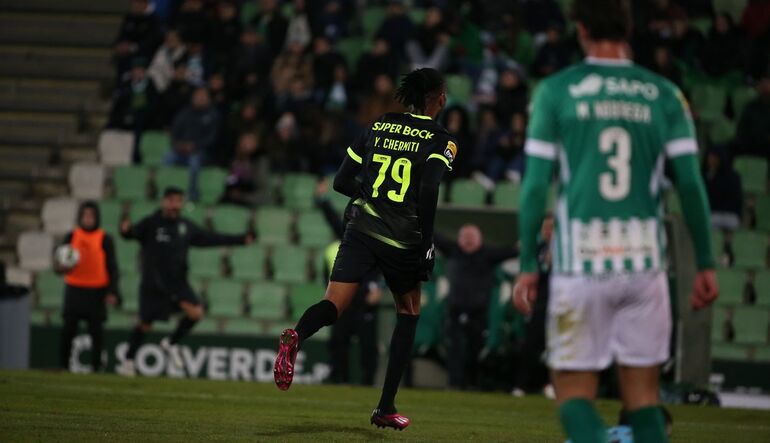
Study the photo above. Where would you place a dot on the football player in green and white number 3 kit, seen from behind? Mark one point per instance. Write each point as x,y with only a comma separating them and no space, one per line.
610,126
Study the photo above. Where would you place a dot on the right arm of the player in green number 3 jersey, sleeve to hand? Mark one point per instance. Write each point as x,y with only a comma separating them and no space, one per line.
682,153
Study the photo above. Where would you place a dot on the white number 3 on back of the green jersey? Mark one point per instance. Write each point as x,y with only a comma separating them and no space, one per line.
617,187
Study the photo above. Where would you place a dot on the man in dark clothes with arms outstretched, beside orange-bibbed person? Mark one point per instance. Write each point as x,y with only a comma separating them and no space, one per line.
165,238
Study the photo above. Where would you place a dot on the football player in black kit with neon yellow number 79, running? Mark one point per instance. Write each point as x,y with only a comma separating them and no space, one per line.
392,172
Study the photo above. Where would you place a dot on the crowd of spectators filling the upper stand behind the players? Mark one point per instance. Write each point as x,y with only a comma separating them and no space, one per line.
267,86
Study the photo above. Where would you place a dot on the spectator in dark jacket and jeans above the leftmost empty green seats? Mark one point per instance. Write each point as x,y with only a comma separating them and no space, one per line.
193,135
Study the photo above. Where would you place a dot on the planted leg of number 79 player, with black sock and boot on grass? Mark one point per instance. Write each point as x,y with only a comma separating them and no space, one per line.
408,309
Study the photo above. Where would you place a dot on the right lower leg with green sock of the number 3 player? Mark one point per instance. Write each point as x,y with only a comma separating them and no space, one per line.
639,390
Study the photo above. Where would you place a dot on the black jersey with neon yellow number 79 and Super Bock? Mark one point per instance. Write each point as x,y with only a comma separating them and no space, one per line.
393,152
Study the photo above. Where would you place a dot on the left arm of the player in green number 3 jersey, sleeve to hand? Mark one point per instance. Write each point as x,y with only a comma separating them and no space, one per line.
540,149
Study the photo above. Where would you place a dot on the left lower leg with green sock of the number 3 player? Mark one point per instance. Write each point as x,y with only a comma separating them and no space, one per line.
575,392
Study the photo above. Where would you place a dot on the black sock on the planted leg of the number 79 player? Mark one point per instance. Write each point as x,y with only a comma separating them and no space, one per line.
400,352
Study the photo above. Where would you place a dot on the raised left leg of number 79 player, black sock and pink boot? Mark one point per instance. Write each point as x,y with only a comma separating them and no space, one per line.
324,313
